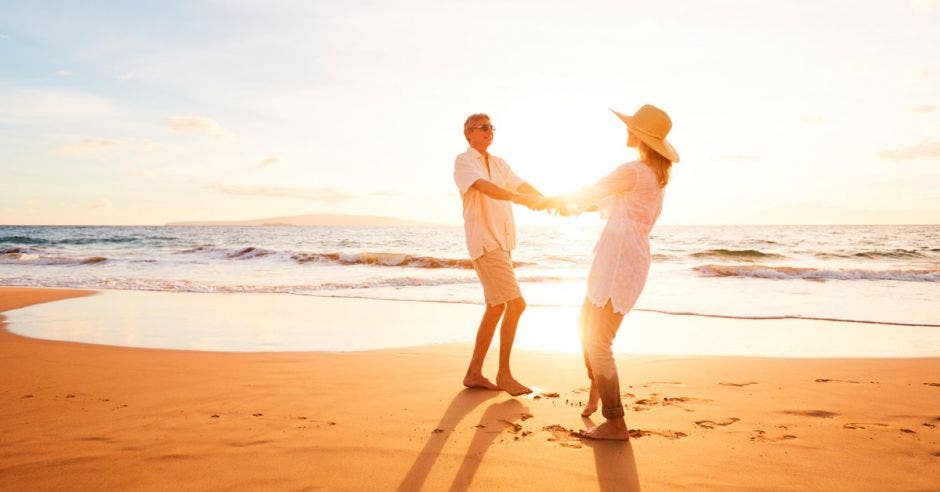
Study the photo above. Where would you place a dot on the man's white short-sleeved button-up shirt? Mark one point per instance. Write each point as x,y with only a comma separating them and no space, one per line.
488,223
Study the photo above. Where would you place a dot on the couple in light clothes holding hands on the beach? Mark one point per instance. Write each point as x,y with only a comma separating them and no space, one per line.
632,195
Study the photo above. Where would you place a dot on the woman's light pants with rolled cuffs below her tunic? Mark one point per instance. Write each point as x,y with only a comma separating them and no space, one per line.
598,328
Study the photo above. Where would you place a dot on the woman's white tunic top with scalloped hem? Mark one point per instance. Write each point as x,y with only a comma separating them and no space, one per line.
622,255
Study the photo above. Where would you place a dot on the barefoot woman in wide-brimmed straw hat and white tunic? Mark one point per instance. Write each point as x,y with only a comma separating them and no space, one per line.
634,194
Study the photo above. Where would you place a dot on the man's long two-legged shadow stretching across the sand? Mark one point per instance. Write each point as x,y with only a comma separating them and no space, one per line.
492,424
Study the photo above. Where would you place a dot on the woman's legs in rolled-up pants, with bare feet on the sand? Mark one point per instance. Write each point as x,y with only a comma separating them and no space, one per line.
601,331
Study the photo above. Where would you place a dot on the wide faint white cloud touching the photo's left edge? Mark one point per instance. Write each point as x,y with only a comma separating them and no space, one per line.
24,106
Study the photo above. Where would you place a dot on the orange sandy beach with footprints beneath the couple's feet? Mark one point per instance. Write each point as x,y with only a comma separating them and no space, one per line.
81,416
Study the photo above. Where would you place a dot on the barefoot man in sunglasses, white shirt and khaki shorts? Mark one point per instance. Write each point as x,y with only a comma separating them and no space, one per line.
488,187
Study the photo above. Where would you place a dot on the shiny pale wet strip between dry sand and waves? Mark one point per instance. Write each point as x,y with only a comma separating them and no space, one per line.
274,323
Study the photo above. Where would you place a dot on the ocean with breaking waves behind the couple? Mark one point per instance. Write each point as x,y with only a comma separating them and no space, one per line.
862,274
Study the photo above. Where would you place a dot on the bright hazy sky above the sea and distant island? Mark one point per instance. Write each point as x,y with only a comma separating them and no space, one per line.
805,112
